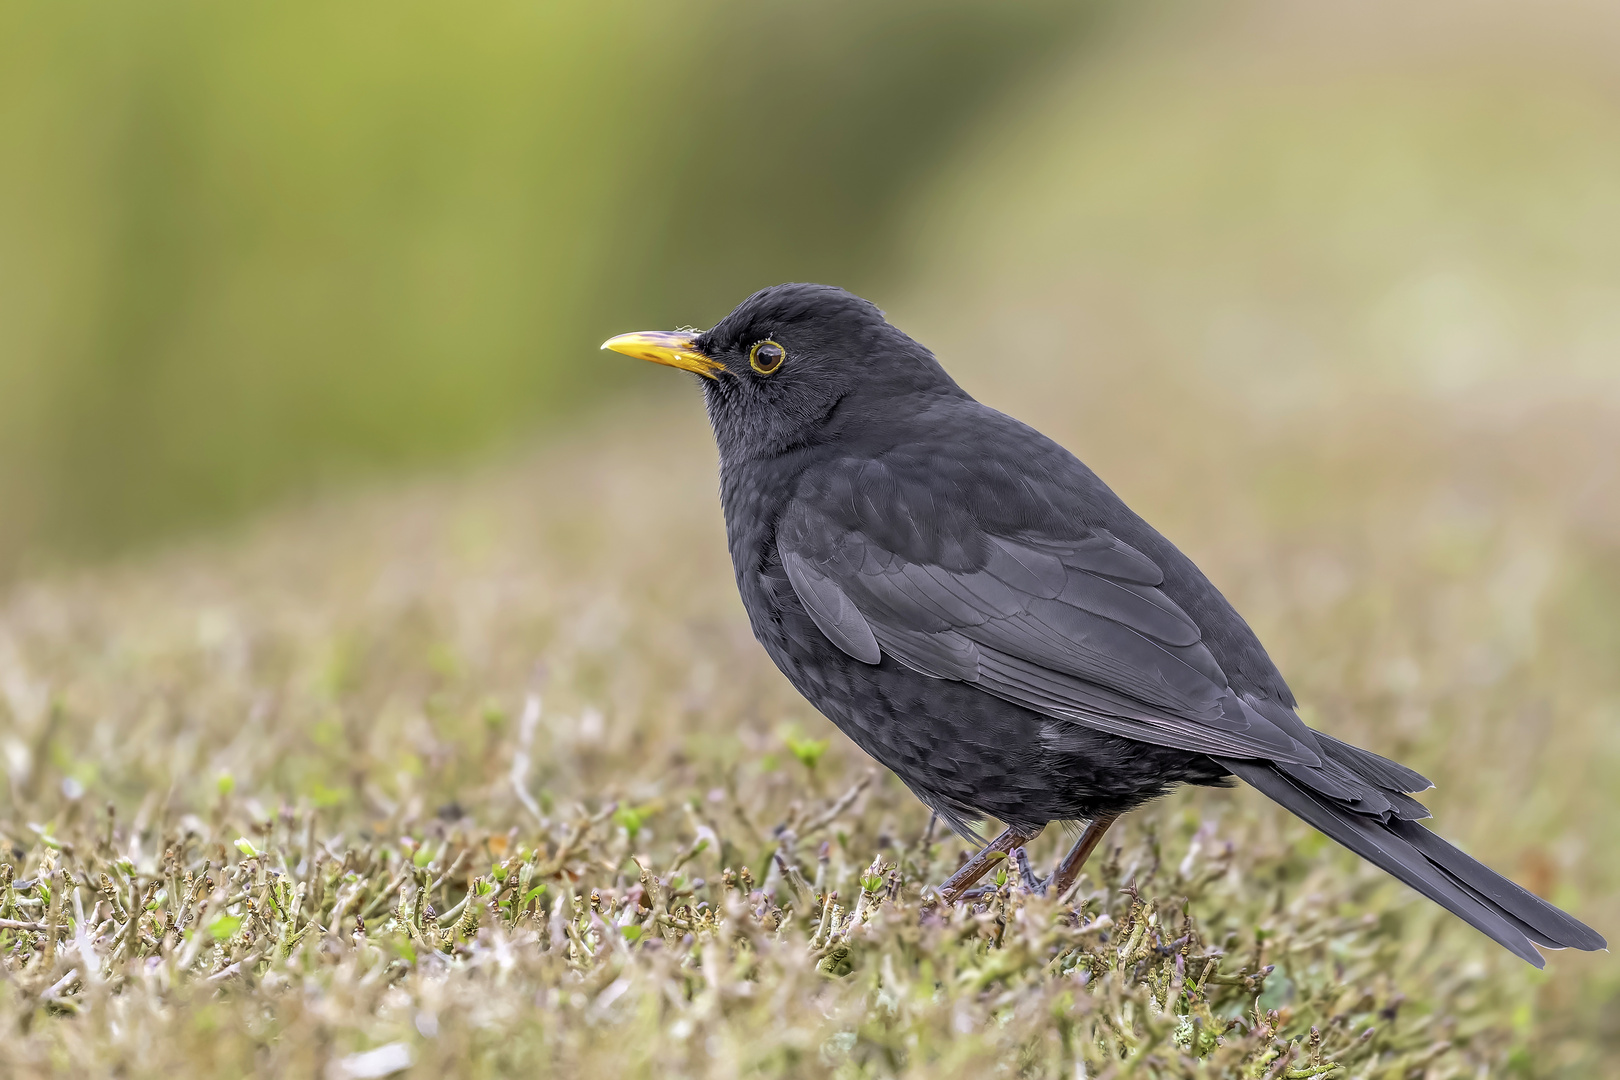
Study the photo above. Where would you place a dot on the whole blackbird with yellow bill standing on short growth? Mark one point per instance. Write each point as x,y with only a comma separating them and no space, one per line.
987,619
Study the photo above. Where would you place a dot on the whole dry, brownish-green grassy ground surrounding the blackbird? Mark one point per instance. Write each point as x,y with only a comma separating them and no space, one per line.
485,776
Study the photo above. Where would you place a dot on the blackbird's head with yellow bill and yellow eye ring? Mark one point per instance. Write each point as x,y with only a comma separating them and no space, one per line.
791,359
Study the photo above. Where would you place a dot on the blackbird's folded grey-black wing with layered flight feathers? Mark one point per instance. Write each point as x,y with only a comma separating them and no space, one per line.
1075,629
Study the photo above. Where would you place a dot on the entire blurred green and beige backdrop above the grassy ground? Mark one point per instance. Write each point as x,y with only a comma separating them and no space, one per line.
255,250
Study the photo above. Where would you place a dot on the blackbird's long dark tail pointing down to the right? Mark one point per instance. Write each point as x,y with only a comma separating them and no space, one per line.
1516,919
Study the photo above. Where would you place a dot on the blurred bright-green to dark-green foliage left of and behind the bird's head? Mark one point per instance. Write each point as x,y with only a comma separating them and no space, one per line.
252,245
